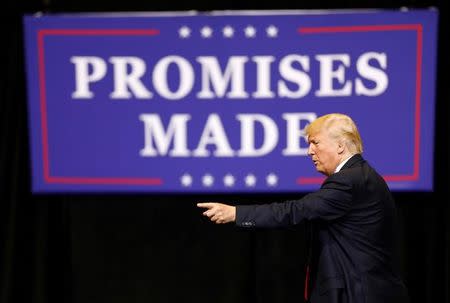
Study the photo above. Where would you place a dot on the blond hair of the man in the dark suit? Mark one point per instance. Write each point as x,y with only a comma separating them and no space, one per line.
339,127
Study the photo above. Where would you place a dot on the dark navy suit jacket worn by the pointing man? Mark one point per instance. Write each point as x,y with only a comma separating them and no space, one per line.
353,221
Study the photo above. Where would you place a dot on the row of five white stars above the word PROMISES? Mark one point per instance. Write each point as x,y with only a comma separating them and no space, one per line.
228,31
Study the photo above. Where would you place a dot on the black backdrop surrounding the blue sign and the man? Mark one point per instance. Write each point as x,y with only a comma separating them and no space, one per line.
148,248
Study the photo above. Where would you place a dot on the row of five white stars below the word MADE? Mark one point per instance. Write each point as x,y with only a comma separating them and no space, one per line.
228,180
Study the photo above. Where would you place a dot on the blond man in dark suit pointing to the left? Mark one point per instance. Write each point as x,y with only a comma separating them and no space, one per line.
351,217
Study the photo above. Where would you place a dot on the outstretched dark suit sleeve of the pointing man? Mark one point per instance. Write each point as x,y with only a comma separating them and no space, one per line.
331,201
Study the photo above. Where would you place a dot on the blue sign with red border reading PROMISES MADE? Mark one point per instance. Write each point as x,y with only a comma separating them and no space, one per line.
218,102
